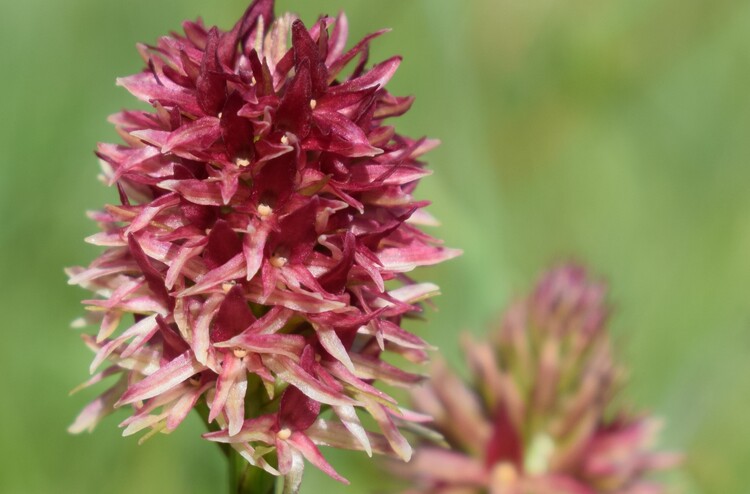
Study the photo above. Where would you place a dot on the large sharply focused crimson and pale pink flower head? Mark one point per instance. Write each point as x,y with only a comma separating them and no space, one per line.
264,206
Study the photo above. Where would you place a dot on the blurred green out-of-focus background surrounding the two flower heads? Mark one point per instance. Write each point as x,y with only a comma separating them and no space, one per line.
616,133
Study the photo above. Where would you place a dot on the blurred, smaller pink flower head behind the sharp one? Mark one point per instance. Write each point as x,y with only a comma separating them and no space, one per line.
537,416
